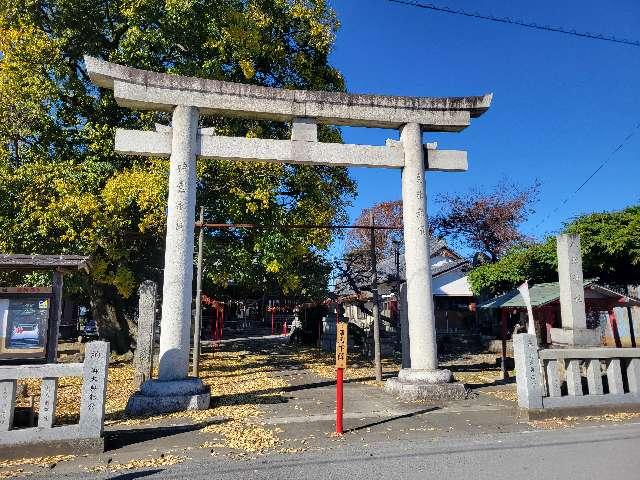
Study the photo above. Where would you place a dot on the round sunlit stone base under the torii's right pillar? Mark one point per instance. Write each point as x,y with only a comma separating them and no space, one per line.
427,385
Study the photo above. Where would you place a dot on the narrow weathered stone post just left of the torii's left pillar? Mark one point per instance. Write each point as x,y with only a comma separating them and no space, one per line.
147,294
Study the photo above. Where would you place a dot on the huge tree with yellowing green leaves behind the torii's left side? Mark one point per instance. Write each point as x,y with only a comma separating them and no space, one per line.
63,189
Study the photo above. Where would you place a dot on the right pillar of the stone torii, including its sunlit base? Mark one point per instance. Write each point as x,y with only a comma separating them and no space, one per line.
423,379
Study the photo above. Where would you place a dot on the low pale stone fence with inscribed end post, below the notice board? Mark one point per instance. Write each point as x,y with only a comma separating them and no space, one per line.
94,373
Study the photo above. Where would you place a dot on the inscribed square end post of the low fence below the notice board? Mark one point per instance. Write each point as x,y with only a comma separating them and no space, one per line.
94,389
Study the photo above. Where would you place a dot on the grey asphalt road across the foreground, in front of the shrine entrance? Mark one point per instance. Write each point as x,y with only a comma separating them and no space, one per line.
602,453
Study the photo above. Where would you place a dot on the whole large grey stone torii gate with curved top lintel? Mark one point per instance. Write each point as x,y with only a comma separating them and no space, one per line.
188,98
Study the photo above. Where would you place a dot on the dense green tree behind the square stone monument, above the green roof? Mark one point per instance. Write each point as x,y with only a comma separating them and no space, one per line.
610,244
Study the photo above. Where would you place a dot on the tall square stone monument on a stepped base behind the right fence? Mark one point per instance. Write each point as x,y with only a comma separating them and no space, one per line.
574,331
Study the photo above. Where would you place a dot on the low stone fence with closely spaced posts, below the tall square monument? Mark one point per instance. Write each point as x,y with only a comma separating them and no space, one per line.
541,375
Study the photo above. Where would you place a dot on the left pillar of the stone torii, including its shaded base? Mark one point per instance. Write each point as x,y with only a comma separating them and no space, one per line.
174,390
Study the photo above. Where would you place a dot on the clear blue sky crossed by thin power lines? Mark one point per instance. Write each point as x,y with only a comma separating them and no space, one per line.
561,103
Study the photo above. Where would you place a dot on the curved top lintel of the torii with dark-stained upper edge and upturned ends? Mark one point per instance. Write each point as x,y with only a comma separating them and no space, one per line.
145,90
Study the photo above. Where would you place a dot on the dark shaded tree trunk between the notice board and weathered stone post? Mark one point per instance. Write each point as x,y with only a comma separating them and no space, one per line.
107,308
